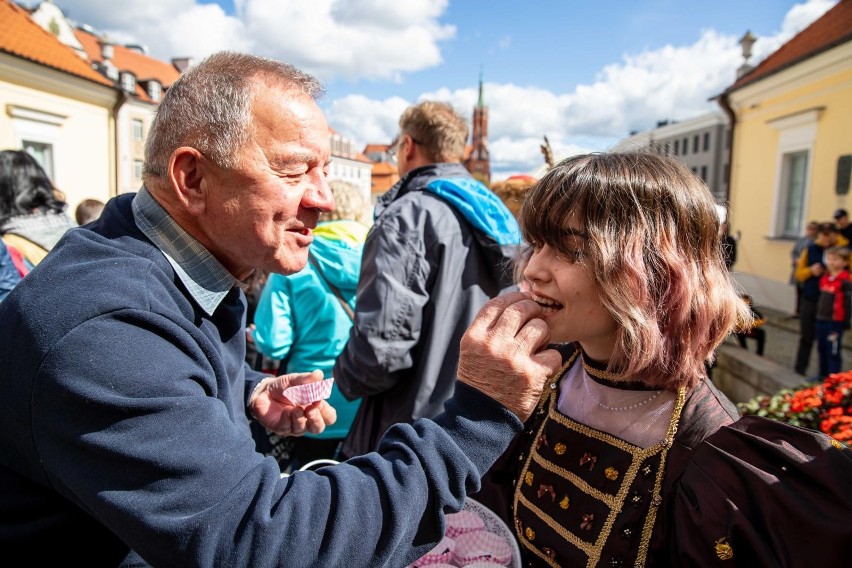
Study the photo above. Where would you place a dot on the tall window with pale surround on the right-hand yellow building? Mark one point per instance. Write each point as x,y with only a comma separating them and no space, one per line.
797,135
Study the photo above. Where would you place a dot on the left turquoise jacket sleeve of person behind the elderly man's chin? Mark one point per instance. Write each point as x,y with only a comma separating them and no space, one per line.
273,334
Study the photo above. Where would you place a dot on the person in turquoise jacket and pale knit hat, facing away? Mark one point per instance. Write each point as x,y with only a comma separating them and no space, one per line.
301,319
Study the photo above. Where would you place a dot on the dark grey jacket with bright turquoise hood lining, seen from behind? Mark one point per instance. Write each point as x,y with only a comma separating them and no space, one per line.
441,246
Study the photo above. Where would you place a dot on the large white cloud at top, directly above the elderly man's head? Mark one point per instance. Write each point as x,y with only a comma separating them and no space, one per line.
356,39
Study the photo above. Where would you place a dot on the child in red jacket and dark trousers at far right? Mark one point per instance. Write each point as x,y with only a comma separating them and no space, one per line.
834,309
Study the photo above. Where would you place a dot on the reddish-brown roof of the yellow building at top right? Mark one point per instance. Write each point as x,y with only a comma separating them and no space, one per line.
832,29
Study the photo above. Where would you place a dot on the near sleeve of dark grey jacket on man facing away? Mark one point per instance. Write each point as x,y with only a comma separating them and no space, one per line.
392,293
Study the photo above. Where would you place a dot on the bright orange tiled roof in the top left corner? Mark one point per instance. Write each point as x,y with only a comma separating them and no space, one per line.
21,37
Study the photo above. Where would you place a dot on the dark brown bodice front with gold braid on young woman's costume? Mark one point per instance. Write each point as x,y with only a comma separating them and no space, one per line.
606,505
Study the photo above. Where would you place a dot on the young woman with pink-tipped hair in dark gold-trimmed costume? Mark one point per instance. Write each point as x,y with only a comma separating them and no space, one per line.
633,457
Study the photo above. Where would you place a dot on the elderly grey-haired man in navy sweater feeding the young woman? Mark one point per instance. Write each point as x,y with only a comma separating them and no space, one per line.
123,430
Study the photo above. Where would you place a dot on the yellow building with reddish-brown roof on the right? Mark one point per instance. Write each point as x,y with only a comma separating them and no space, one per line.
791,151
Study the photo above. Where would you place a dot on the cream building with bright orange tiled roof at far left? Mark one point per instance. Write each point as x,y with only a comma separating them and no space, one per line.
55,106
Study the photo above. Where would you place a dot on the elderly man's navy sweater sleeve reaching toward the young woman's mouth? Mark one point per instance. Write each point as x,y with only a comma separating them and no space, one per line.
138,440
